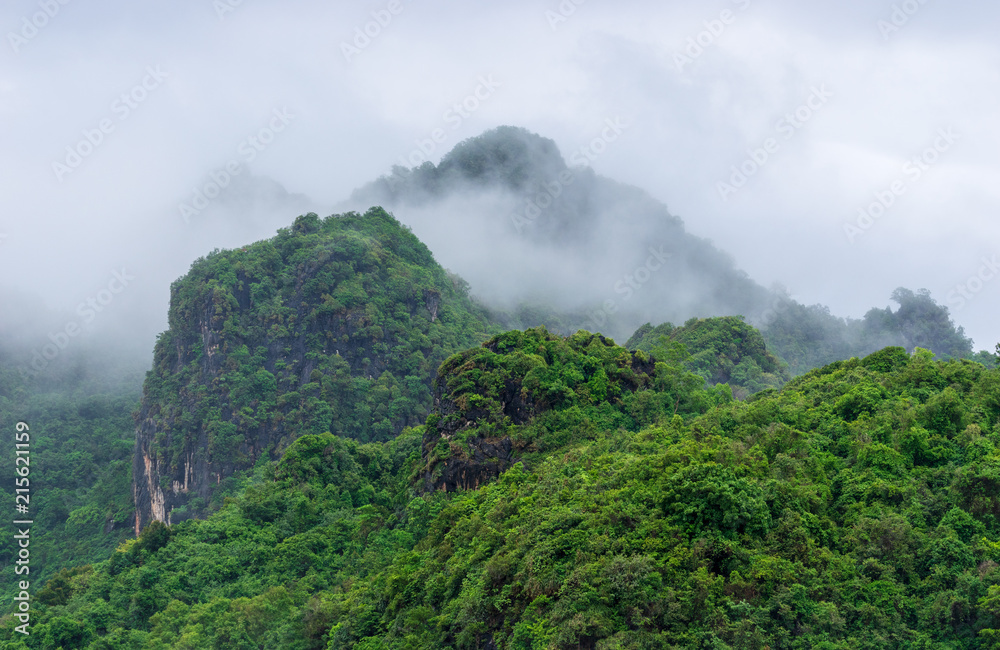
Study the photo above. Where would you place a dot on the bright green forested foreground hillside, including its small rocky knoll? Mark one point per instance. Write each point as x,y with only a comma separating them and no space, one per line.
855,508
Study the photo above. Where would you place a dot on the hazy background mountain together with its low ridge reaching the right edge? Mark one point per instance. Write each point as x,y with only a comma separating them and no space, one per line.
543,242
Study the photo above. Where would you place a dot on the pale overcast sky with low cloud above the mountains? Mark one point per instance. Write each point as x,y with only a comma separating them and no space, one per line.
113,115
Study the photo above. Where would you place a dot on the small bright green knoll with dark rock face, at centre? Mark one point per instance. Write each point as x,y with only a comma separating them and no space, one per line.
525,393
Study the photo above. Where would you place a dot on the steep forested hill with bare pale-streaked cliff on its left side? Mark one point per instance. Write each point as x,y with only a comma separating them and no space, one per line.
335,324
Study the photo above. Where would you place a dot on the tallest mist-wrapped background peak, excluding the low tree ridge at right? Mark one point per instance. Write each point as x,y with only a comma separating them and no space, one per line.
507,213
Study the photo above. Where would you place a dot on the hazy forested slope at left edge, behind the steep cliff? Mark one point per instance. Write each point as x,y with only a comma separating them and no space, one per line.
82,437
